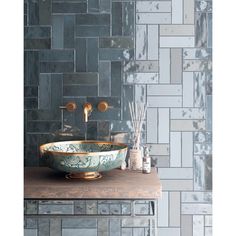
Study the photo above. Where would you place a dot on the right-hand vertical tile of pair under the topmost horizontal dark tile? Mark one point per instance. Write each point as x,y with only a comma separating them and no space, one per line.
69,29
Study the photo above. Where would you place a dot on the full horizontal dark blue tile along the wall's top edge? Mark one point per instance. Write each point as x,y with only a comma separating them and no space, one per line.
69,7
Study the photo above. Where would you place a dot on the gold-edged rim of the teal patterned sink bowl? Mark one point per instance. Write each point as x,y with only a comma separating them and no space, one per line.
43,146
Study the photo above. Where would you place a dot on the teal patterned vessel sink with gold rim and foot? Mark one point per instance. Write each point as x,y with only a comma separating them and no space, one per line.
83,159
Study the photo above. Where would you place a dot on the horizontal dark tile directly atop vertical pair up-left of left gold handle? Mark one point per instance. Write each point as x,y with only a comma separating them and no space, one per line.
56,67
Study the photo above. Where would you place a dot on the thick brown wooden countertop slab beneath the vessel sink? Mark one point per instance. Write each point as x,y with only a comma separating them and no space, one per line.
44,183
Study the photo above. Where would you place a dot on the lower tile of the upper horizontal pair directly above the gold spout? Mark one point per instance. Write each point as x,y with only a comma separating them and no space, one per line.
92,31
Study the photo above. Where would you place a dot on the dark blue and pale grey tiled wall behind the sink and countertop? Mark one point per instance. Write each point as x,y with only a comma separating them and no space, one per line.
157,52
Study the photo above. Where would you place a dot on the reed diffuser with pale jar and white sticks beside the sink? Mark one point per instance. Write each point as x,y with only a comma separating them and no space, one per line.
137,113
